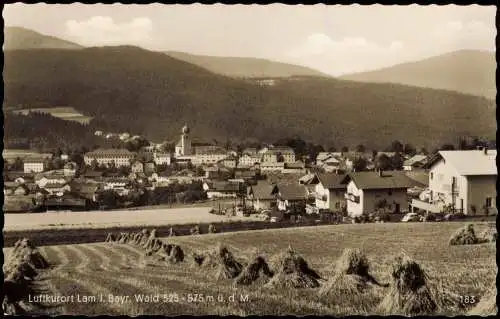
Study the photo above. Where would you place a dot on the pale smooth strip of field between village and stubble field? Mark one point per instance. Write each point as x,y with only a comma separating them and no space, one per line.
112,219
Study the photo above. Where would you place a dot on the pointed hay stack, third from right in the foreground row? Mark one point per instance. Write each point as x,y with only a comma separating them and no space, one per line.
294,272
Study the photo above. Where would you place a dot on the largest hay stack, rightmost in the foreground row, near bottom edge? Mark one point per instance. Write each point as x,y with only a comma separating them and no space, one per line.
411,294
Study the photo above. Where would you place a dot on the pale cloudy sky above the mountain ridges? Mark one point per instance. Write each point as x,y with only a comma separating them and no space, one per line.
334,39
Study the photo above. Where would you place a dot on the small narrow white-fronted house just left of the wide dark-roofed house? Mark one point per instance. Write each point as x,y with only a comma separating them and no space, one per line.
329,191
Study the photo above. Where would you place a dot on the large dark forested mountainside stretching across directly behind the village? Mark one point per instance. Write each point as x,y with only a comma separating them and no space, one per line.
143,91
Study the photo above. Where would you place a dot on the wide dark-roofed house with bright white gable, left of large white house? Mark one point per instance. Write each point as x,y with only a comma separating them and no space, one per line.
369,191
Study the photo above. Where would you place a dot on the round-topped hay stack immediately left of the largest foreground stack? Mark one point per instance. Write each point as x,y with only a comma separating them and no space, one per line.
351,275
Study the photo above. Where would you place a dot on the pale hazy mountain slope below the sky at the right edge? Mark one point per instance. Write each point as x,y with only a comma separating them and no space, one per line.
468,71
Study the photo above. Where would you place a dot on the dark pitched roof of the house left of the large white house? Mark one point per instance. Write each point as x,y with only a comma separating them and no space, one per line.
372,180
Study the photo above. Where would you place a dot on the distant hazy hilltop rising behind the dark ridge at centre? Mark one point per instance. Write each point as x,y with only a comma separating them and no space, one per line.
245,67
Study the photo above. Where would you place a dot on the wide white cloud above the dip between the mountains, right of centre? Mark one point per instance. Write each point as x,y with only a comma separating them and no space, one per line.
350,54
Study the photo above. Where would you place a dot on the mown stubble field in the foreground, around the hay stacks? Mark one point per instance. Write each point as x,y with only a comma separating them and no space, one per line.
104,269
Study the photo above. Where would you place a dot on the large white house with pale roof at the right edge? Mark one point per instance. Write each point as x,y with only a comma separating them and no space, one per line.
464,180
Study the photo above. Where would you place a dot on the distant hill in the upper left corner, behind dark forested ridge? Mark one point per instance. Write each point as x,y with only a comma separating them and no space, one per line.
17,38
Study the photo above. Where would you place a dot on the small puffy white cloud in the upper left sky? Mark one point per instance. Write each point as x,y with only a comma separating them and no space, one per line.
99,30
